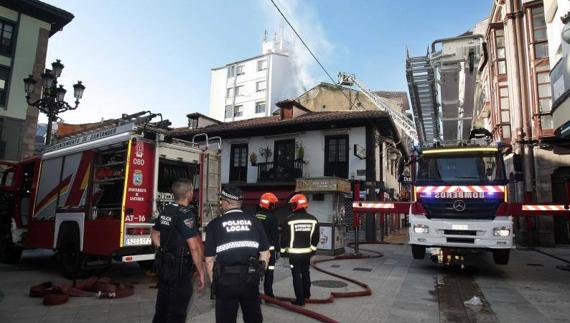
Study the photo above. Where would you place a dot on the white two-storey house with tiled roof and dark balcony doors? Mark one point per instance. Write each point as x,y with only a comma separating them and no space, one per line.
299,143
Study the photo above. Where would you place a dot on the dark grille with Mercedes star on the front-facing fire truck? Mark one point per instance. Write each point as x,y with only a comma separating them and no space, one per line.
483,209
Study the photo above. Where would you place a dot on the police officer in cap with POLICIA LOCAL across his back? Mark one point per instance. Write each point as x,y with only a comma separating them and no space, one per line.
234,243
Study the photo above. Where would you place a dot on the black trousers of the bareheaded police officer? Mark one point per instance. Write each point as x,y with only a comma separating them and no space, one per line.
174,293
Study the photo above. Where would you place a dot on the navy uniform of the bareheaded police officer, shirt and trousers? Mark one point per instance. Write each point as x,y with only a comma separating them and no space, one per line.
176,224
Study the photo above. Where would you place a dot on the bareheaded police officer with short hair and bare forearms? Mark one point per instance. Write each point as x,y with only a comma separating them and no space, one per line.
179,251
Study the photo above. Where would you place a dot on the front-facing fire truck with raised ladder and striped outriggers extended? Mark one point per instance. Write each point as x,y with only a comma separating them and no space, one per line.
460,200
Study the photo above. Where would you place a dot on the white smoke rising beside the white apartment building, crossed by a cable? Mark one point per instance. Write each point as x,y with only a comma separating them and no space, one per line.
306,21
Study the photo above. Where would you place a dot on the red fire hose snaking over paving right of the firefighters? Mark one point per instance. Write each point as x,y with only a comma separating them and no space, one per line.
284,302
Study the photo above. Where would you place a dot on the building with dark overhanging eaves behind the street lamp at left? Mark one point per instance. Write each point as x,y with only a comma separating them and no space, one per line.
25,28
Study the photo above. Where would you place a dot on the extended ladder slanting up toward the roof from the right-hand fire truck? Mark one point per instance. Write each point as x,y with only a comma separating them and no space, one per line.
400,119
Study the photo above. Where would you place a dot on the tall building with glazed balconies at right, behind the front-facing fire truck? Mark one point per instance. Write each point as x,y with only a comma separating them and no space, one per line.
515,102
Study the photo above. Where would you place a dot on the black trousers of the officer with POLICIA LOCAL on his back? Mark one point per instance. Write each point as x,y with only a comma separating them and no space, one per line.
233,291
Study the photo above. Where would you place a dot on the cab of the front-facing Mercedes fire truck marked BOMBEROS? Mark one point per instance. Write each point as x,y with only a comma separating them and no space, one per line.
460,204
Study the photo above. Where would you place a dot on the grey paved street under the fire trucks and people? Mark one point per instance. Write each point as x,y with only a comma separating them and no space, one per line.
530,289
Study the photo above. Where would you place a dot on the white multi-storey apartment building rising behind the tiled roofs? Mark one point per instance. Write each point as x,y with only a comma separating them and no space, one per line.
250,88
